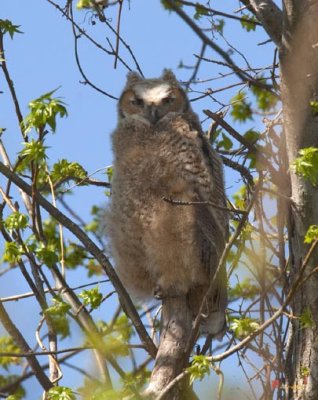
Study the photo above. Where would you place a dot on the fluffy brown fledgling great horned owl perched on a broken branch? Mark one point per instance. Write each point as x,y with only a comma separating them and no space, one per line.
159,246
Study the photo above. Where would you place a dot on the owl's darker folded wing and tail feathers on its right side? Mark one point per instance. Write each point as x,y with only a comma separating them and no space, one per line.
213,225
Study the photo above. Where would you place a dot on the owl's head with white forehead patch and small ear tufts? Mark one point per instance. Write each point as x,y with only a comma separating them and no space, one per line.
152,99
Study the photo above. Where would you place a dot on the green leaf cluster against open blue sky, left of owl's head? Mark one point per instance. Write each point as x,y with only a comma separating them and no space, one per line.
44,111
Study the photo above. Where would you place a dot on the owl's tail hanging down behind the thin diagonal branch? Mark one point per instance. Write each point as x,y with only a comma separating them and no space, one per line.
213,321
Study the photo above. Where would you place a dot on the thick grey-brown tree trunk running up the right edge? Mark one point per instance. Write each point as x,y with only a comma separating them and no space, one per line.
299,75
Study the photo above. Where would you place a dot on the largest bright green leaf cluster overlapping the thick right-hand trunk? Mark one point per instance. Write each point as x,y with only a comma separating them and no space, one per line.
306,164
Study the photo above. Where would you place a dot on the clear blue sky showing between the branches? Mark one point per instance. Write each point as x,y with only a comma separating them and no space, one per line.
43,59
